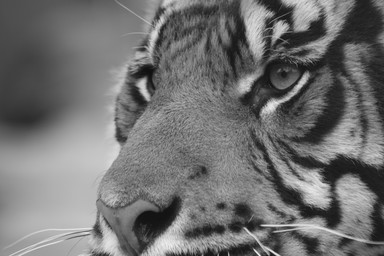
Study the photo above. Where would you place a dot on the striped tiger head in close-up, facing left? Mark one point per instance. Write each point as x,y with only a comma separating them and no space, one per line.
250,127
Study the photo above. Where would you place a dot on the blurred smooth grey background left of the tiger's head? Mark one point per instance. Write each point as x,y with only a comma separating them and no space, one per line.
55,63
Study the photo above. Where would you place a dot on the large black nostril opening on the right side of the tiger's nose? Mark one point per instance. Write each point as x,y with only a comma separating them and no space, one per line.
150,225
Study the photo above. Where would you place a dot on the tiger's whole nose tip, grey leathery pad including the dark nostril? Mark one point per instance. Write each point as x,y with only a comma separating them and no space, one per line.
138,224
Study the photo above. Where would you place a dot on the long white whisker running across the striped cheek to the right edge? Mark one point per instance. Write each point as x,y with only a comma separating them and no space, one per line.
295,227
